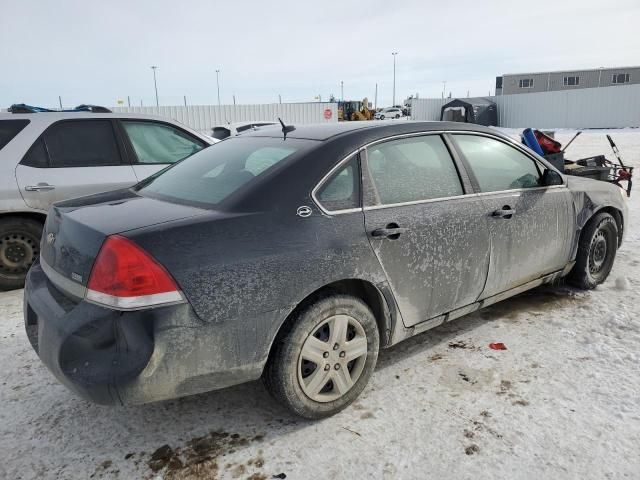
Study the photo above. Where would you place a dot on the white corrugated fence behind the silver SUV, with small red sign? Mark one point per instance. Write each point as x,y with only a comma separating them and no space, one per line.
204,117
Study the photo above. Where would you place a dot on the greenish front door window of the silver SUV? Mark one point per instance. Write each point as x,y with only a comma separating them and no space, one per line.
155,142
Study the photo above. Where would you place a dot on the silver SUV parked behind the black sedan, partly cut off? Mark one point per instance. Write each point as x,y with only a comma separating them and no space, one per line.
52,156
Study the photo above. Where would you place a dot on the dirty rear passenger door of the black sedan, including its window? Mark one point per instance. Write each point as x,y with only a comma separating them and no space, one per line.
430,236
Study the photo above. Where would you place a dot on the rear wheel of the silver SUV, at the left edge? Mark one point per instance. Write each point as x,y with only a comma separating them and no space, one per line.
19,248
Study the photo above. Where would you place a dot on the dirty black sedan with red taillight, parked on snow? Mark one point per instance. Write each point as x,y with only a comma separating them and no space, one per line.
295,254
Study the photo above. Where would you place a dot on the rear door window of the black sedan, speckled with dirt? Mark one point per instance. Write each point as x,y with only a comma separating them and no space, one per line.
412,169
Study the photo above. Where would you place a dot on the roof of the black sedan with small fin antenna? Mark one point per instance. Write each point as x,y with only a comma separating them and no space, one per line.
325,131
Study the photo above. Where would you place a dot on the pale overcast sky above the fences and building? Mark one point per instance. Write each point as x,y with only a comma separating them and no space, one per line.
100,51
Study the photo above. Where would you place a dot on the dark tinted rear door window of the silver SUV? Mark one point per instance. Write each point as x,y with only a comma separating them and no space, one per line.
81,143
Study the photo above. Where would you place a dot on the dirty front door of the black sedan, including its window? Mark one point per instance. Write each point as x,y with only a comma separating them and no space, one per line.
531,225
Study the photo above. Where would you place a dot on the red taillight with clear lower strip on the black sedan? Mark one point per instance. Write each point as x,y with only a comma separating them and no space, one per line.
125,277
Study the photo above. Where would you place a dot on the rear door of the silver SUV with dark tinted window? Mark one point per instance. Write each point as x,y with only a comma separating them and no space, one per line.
70,159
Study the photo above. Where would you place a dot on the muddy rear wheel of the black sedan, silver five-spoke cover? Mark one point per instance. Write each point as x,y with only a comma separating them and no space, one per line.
324,358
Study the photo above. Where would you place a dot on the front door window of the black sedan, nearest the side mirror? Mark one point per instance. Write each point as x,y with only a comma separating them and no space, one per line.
496,165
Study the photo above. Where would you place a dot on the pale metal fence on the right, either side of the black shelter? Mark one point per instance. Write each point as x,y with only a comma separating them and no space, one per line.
606,107
